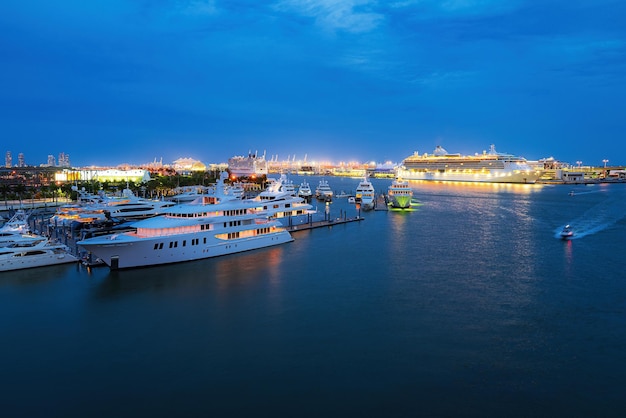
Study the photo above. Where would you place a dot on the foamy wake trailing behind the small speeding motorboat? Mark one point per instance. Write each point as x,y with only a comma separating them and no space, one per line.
596,219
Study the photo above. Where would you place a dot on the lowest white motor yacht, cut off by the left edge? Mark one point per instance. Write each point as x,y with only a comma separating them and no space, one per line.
34,253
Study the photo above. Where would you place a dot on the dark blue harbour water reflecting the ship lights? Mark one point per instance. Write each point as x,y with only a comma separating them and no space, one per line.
468,305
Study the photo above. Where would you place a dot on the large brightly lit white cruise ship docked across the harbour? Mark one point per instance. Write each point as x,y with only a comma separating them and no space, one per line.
489,167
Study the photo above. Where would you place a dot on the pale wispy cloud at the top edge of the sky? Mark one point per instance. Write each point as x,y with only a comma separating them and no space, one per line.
353,16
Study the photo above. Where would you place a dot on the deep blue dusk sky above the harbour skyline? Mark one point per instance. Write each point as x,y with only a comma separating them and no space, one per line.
131,81
